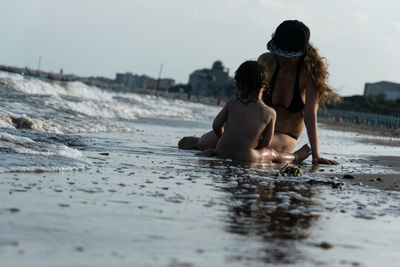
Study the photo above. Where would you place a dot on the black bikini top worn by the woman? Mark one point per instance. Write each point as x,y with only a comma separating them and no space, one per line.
297,104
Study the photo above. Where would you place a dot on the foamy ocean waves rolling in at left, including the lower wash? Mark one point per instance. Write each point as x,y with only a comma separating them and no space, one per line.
39,120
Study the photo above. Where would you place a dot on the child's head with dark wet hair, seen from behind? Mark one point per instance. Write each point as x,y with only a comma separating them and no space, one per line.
249,78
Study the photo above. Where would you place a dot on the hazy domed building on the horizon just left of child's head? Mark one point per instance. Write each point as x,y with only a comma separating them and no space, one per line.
207,82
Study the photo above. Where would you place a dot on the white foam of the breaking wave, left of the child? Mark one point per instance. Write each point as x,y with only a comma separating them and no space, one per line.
76,107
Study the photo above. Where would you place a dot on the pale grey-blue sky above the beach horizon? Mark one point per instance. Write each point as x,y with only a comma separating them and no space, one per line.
359,39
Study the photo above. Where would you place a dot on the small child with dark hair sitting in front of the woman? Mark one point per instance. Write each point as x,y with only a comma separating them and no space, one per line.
245,126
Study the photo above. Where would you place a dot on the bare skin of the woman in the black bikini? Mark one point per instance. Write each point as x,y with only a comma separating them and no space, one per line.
288,124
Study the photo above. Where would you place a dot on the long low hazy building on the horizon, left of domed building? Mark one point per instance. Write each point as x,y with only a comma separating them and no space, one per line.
142,81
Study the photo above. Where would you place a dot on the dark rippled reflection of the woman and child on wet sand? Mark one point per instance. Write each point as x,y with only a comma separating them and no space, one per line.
266,206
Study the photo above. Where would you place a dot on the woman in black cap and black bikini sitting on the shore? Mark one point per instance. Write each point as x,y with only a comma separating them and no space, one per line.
297,87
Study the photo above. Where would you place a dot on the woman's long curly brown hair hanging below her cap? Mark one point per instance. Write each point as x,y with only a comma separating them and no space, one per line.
316,68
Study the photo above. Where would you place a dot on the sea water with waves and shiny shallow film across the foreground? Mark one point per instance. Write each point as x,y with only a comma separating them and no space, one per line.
91,177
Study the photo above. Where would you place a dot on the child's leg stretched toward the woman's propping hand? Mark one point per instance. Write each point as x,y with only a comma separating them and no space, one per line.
270,154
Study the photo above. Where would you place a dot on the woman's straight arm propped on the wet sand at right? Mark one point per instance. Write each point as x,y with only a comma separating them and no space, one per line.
310,120
